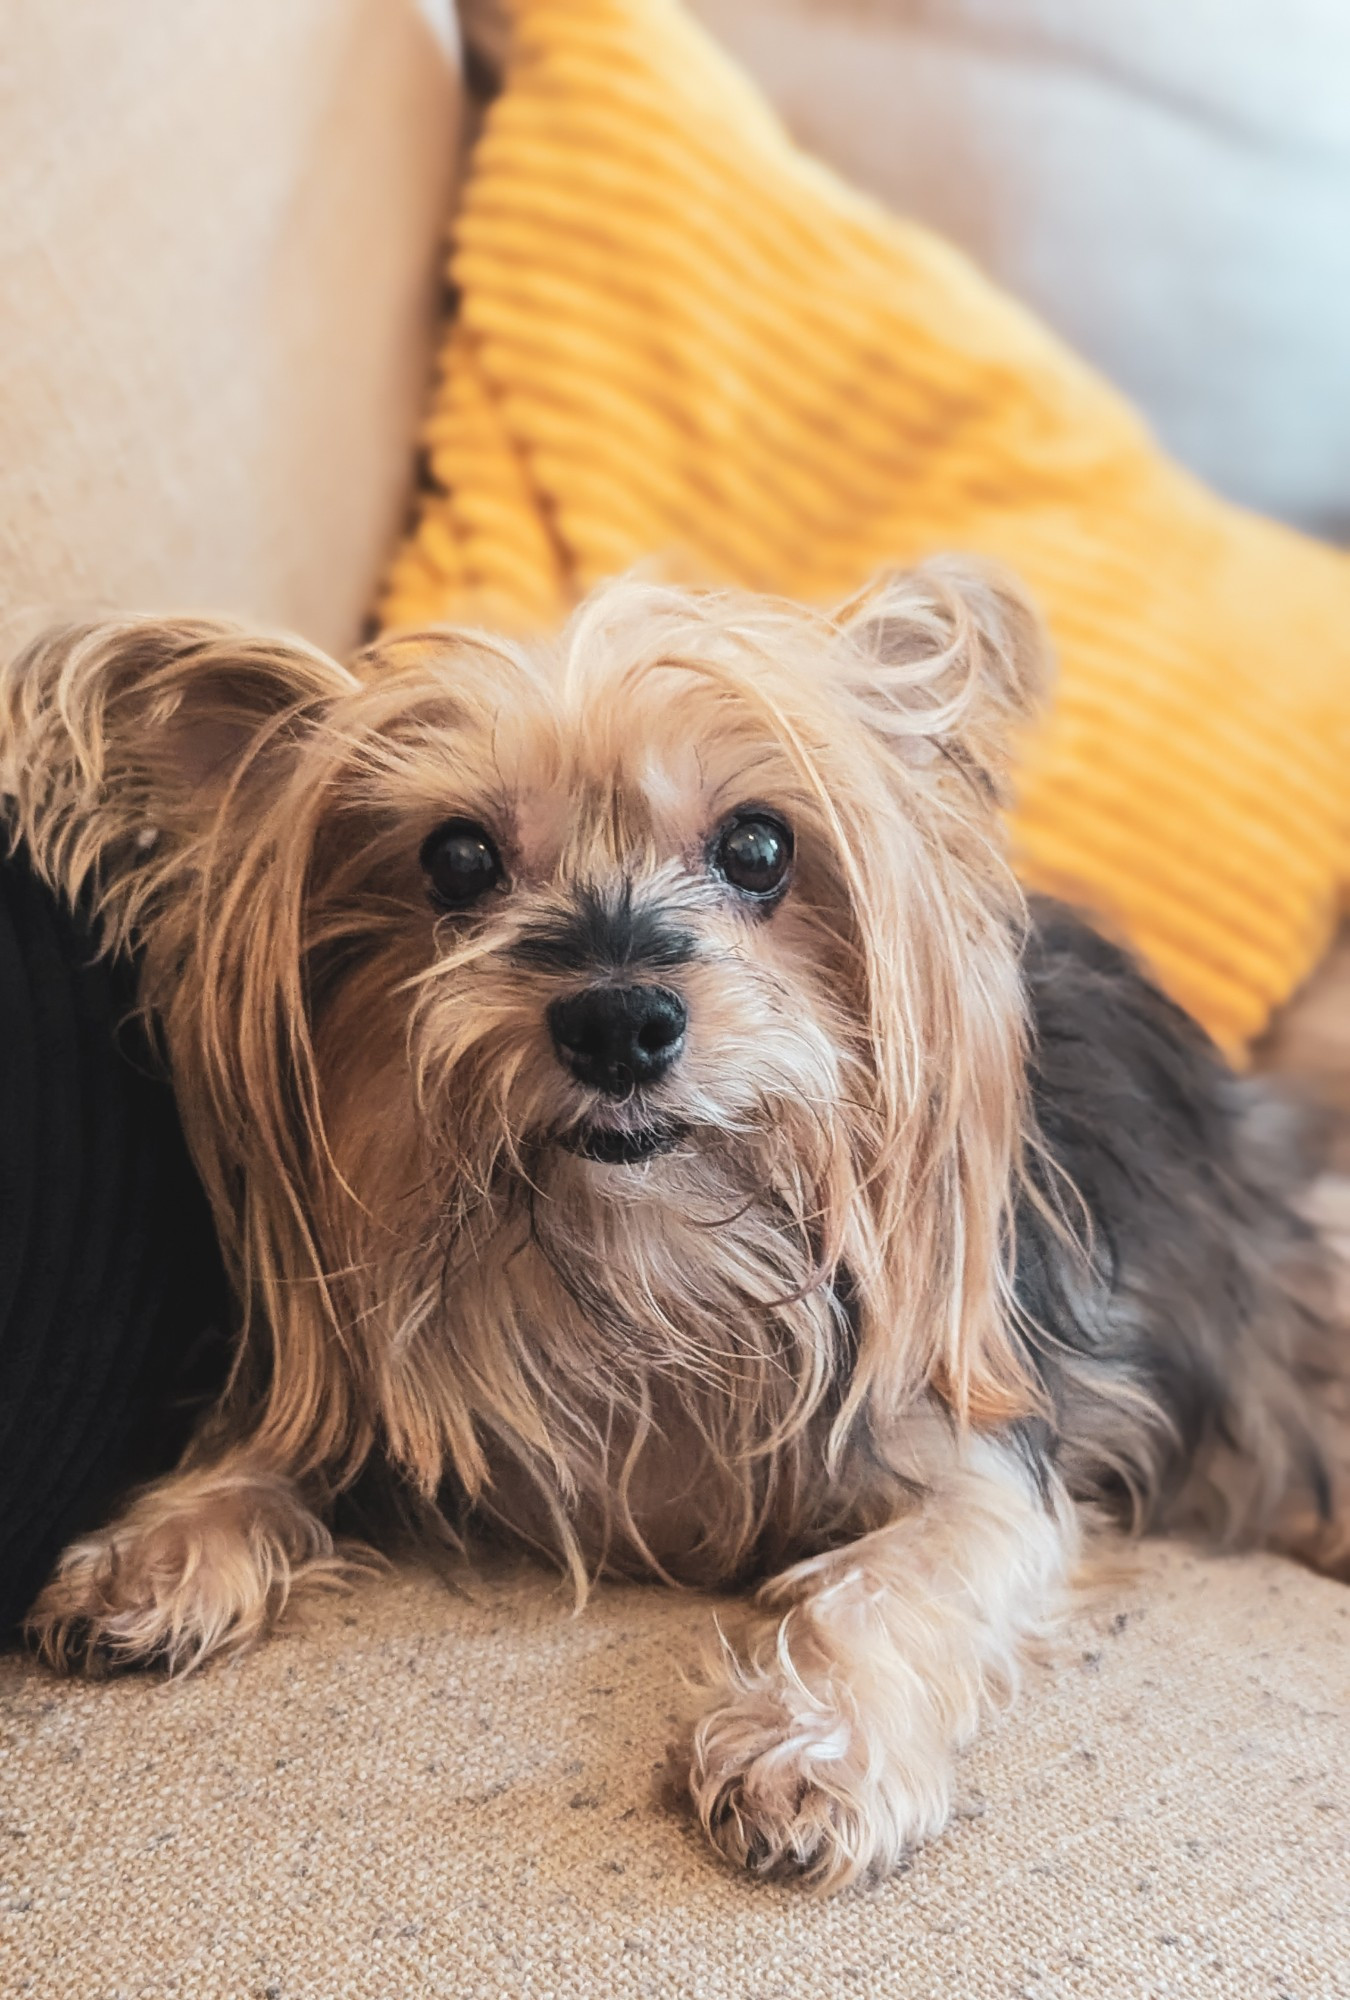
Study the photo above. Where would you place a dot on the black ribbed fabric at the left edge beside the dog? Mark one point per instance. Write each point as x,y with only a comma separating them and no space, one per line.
113,1299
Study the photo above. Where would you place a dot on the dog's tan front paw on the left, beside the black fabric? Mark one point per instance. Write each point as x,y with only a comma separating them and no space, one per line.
199,1563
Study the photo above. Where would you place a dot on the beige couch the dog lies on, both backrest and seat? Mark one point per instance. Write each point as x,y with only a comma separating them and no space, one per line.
219,247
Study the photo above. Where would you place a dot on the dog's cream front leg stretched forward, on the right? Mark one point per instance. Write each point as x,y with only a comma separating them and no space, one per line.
825,1745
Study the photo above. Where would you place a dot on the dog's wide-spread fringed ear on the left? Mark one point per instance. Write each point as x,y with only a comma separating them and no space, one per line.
127,739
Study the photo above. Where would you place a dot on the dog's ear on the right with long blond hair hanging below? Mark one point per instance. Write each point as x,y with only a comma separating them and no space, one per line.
939,667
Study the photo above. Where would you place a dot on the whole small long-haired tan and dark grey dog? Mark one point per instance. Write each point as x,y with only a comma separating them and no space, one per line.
641,1111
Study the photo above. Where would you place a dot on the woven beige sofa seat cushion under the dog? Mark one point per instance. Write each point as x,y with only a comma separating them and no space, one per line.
461,1797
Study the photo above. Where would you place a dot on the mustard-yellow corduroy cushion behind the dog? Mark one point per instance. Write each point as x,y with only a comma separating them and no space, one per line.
679,335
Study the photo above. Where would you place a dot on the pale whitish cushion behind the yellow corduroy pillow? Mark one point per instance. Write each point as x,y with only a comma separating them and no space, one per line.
1167,183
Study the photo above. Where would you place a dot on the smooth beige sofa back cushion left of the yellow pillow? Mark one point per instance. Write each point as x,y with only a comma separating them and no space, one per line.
219,253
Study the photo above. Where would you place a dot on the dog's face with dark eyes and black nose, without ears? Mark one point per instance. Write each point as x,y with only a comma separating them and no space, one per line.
625,957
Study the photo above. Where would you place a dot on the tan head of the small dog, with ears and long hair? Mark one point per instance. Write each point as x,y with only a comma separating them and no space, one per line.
681,945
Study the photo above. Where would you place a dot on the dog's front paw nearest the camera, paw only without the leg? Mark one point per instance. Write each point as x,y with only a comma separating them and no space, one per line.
799,1783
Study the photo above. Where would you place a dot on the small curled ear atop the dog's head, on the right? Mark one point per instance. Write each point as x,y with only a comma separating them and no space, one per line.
945,663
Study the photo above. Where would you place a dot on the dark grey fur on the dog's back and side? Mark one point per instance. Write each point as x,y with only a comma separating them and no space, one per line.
1183,1349
